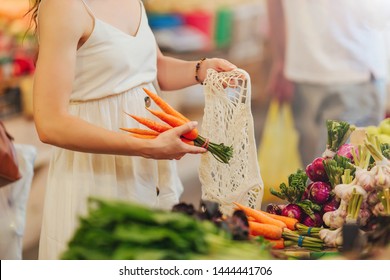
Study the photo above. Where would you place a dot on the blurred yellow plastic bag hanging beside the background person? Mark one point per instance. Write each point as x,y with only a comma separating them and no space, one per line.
278,151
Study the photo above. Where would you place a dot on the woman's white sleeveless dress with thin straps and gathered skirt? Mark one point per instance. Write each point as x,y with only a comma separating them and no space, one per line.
112,67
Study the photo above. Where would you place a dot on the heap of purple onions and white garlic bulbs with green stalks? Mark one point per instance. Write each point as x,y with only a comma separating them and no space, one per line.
349,185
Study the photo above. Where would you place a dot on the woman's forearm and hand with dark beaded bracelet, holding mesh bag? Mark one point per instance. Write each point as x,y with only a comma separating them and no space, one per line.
173,73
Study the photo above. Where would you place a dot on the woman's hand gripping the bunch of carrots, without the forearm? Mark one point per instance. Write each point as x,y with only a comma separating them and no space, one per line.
168,145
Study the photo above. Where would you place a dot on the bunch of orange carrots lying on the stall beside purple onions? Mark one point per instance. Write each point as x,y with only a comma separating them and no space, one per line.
279,231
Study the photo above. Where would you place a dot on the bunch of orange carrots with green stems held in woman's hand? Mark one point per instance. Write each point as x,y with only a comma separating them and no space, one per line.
173,118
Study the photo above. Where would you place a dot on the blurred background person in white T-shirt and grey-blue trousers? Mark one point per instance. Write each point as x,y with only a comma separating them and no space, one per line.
329,61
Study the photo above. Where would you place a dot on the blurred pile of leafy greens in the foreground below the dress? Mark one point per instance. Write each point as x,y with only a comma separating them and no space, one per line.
117,230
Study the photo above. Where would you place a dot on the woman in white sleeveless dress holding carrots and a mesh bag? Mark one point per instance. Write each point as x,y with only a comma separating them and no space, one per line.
94,59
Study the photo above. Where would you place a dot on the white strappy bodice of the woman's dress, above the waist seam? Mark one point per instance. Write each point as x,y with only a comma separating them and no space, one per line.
112,61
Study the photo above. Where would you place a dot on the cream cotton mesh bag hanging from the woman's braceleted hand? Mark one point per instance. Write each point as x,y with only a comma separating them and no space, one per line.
228,119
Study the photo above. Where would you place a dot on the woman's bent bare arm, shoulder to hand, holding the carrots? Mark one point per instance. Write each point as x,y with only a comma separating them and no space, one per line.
61,25
